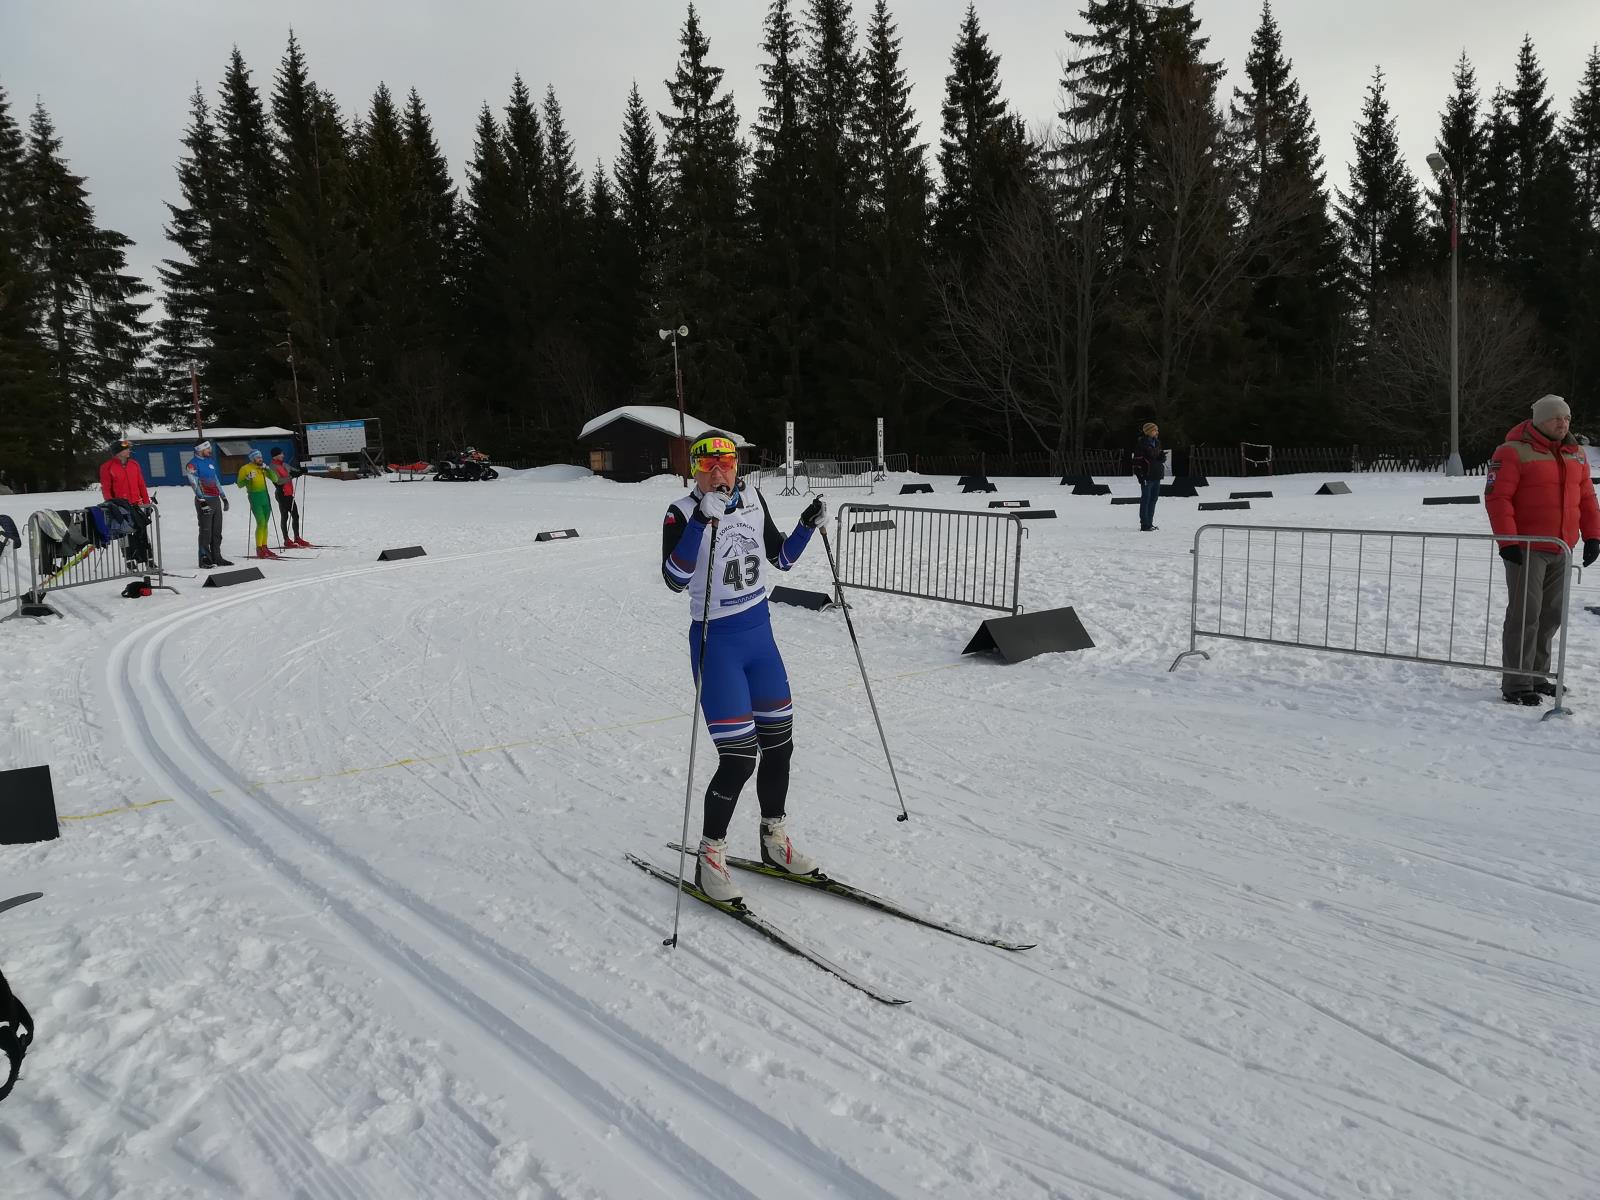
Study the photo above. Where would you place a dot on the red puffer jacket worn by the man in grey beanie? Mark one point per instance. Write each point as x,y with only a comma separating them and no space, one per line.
1538,486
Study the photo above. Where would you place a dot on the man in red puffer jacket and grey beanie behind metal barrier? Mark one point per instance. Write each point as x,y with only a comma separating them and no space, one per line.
1538,486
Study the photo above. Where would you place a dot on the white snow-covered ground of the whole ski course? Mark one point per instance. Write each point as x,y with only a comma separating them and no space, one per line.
340,908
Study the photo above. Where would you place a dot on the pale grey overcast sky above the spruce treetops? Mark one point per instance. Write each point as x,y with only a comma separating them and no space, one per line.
116,74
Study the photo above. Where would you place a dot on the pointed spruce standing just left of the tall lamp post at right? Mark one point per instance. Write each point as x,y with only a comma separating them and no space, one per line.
1382,214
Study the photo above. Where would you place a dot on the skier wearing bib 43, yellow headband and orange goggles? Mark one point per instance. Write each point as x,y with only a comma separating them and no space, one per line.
745,692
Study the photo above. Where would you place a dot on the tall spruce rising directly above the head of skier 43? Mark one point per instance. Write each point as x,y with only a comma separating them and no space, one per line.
703,161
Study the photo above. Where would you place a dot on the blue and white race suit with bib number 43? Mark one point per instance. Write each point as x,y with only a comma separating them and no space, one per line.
745,695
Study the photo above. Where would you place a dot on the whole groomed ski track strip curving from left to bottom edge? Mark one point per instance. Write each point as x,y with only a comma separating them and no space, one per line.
583,1070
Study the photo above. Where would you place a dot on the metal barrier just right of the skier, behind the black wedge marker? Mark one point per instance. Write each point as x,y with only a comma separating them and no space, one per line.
953,556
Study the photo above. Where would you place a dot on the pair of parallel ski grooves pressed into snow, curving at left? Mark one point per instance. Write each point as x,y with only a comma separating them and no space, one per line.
647,1134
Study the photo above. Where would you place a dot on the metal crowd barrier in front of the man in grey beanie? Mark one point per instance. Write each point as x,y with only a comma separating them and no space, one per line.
1418,598
